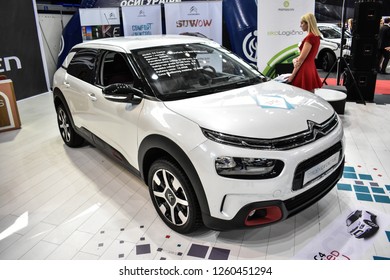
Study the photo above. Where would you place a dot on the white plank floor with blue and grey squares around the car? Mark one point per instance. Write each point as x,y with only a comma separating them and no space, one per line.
76,204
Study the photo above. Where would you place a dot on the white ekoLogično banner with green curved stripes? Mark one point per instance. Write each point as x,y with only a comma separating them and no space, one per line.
279,32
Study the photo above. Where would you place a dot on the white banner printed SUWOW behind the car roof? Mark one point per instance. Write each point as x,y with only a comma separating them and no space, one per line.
203,19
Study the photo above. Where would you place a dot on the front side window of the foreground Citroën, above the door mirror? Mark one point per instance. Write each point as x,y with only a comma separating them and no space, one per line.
115,69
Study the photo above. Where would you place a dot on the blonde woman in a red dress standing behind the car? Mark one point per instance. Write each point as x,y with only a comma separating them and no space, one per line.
305,73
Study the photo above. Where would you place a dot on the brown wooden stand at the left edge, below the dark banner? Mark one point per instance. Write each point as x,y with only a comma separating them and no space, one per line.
9,115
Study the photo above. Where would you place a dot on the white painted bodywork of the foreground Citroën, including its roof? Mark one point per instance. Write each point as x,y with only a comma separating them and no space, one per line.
266,110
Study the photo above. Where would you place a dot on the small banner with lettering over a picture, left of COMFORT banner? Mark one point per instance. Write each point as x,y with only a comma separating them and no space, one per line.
99,23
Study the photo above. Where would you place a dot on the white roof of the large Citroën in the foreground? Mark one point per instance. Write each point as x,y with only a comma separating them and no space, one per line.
138,42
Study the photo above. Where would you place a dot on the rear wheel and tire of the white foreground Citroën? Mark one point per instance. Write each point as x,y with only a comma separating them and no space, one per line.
68,134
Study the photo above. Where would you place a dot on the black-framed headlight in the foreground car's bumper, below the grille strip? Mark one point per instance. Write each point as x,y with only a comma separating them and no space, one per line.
248,168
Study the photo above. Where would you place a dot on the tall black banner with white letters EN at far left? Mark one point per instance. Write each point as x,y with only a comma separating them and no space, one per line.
21,49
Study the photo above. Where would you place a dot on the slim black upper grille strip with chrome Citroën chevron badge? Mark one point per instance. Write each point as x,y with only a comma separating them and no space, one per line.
314,132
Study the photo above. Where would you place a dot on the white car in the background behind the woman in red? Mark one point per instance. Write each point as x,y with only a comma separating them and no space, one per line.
330,45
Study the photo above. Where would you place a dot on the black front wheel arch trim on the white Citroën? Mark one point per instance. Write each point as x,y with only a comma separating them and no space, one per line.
170,148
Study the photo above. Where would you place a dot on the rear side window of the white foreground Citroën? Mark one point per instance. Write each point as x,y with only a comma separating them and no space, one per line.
82,65
